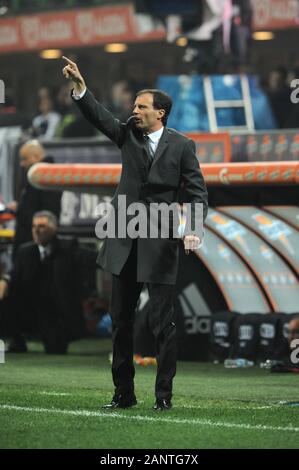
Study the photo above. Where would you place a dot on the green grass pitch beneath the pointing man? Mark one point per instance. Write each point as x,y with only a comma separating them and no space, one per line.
55,402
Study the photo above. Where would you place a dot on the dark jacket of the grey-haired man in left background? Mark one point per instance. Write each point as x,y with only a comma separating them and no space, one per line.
50,291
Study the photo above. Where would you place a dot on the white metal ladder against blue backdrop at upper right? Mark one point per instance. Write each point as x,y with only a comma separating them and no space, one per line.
212,105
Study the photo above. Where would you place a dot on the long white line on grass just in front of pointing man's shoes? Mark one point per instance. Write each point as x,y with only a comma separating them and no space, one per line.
198,422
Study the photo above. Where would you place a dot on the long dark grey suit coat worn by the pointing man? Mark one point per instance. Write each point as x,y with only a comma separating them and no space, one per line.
174,164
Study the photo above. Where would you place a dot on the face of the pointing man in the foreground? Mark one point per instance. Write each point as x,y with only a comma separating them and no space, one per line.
146,117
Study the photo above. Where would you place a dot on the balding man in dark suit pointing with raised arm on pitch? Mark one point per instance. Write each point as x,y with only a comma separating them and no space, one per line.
155,162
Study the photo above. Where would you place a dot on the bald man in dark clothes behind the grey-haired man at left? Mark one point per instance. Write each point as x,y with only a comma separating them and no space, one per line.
32,199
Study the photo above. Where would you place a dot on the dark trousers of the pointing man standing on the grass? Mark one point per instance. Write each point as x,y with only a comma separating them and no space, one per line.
125,294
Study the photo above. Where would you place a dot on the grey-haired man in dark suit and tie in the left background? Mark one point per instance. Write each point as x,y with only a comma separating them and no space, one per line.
44,289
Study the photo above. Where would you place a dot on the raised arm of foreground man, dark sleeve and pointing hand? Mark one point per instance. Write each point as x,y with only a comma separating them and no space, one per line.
94,112
